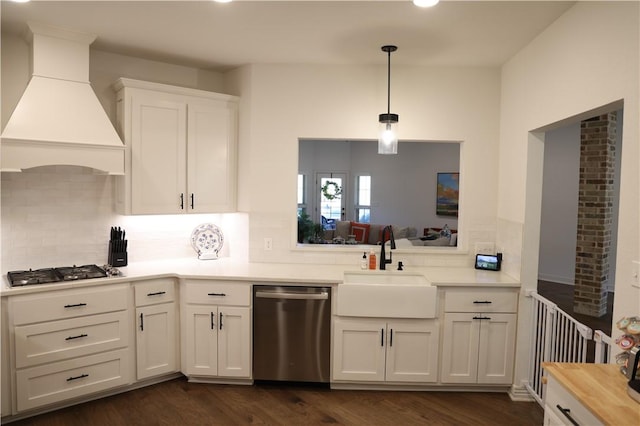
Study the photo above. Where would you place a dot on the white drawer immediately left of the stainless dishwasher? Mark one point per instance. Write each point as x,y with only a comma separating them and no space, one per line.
217,293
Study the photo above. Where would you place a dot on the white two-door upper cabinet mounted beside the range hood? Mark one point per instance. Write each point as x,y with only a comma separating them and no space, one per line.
181,148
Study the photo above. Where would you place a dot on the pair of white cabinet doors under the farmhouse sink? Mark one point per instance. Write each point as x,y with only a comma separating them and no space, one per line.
385,350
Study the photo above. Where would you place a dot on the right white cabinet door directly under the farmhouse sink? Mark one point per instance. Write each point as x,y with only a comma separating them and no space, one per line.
412,351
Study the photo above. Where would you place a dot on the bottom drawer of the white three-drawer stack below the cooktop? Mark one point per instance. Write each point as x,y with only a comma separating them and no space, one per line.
51,383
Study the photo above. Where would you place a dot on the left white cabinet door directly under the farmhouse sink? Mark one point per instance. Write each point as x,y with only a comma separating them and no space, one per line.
359,349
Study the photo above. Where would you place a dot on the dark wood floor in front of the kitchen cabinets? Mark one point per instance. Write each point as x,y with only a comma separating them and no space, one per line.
178,402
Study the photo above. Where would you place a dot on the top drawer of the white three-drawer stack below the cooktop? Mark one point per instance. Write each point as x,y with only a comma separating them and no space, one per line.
63,304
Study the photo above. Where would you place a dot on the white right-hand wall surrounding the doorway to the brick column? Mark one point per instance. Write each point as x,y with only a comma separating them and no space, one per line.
588,58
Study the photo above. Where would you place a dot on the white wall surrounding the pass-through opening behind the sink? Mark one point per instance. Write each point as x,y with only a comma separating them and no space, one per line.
343,102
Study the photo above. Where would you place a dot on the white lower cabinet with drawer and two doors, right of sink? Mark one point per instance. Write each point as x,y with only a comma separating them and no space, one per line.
479,332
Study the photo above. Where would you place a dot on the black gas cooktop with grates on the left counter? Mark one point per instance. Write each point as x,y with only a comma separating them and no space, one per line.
52,275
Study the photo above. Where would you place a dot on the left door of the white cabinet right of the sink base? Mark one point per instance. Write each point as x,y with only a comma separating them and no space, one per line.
460,348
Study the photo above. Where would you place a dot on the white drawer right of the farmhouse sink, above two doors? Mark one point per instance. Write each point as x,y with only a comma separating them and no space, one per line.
485,300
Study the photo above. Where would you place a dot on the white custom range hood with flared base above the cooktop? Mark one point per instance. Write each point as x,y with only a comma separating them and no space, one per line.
59,120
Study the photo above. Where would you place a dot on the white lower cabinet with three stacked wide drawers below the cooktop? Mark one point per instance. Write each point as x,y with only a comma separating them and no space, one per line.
69,343
